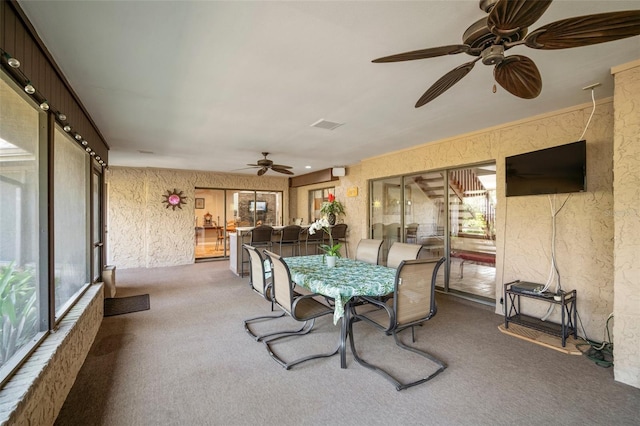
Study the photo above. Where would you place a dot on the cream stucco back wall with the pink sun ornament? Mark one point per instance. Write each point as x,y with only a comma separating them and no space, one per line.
142,232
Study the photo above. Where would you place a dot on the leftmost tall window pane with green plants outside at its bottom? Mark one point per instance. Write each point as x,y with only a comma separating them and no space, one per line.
20,272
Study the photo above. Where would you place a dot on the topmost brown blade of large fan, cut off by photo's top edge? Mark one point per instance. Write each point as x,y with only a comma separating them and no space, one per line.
509,16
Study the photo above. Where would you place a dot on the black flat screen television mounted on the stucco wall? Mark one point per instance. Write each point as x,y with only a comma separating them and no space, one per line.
555,170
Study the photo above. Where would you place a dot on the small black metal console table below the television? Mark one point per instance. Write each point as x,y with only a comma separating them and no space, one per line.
566,301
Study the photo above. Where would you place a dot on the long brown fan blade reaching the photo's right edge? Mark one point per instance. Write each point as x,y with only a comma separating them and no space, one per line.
585,30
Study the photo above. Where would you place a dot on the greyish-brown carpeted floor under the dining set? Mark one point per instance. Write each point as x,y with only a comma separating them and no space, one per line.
188,361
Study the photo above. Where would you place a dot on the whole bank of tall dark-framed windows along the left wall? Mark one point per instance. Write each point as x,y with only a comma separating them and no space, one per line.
28,280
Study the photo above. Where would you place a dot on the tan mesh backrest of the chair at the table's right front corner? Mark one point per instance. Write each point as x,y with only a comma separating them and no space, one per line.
414,294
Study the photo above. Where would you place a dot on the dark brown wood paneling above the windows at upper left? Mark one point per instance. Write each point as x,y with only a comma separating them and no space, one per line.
17,39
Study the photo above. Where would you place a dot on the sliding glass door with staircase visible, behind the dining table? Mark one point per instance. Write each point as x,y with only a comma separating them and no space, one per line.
450,213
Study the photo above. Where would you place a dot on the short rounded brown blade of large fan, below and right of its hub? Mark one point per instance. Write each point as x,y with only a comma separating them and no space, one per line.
519,76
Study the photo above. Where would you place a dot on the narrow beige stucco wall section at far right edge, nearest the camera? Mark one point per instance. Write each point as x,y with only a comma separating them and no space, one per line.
626,212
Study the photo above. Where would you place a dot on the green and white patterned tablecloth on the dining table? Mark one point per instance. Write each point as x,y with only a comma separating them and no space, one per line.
348,279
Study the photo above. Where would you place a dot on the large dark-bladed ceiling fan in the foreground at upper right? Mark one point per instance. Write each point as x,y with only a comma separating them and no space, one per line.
506,26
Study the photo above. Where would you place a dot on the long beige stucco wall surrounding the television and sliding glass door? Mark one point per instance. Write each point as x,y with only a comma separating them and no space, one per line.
584,227
